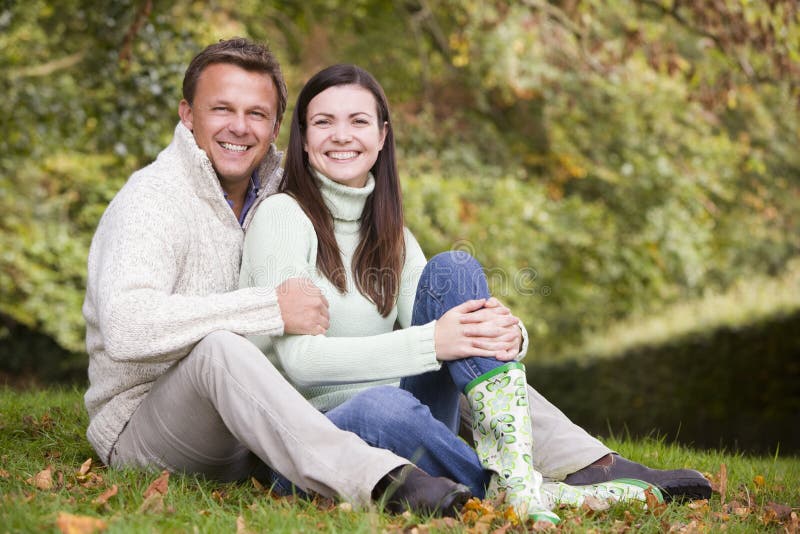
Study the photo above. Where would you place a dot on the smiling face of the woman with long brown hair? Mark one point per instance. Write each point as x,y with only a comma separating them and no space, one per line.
344,134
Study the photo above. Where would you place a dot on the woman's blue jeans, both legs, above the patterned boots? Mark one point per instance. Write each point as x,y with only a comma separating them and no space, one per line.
419,420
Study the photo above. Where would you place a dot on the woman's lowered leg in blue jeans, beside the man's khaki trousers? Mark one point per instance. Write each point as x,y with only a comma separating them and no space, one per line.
390,418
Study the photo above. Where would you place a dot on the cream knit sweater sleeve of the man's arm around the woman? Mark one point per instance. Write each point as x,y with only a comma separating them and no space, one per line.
137,259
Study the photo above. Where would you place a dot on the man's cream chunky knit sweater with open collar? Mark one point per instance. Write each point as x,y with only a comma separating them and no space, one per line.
163,273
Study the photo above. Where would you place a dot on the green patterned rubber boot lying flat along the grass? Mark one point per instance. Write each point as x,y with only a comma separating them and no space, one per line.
621,489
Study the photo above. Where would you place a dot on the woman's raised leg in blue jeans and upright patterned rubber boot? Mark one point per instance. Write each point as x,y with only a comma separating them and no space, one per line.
496,390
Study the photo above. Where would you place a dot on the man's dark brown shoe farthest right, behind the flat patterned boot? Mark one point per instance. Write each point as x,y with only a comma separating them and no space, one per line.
675,484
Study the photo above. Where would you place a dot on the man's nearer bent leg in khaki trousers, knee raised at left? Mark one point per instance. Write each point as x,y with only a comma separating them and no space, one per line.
224,411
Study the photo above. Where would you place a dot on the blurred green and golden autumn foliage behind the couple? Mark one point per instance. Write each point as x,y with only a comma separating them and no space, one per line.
609,161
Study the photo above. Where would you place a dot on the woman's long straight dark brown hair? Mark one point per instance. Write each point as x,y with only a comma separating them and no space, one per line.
379,257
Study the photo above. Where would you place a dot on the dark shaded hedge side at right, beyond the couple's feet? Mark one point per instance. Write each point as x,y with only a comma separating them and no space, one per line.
732,387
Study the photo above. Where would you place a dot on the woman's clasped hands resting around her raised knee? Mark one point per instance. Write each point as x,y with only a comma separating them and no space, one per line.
482,327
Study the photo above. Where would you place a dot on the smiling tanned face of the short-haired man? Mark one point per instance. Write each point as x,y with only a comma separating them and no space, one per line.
233,120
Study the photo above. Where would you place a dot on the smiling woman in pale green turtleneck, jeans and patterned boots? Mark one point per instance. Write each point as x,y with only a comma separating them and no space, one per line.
340,222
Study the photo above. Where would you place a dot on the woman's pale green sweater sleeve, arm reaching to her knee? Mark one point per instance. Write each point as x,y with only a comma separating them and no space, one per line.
281,243
